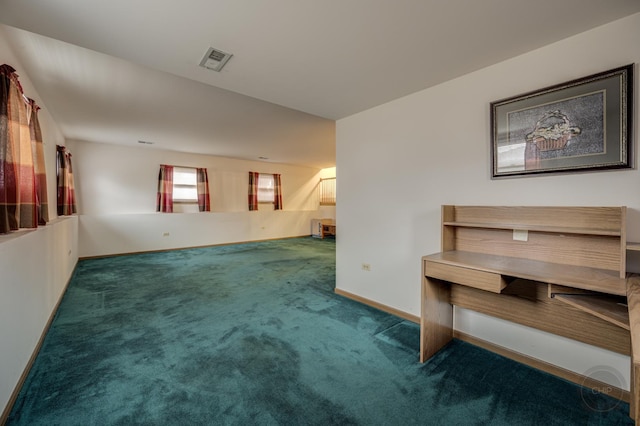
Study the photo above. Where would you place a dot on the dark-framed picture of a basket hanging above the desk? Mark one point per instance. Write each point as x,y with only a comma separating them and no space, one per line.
580,125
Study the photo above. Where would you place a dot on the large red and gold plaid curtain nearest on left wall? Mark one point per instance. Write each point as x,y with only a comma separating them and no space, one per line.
20,166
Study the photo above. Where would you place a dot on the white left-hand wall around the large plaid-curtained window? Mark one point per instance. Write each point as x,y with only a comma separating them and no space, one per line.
35,265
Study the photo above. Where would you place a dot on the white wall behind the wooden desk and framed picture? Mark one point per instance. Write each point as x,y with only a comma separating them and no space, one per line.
399,162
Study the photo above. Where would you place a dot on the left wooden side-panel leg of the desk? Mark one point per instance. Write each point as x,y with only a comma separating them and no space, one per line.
436,317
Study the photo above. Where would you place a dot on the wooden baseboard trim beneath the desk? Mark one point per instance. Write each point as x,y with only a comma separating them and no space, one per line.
563,373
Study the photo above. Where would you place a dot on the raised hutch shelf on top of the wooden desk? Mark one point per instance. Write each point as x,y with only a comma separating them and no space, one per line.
592,237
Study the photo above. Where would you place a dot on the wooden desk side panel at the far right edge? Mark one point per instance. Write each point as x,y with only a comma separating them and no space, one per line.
633,302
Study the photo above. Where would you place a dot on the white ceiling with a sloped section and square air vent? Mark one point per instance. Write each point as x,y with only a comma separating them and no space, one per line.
119,71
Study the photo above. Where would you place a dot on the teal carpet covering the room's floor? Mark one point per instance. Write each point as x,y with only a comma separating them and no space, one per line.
253,334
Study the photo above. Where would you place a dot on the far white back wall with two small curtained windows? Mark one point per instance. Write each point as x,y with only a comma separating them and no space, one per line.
116,189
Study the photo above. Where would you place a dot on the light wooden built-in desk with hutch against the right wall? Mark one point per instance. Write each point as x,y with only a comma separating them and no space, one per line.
557,269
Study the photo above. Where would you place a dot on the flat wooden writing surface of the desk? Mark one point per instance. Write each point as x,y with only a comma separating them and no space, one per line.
581,277
